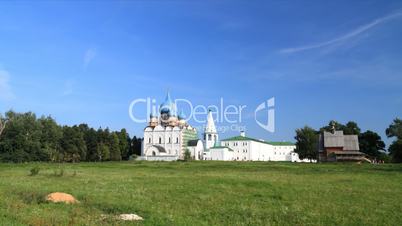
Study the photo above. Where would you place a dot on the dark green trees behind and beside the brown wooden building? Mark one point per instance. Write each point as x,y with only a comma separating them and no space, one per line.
370,142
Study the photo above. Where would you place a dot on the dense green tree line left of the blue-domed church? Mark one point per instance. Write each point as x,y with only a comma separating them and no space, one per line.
25,137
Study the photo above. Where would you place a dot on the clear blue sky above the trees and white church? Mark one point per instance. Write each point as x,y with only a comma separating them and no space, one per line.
86,61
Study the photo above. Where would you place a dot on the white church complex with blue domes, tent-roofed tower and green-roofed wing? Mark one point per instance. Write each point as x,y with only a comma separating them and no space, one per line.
167,137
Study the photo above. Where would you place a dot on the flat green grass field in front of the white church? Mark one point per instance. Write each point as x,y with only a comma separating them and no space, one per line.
204,193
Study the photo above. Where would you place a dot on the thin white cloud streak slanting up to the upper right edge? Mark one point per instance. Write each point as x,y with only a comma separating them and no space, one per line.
345,37
